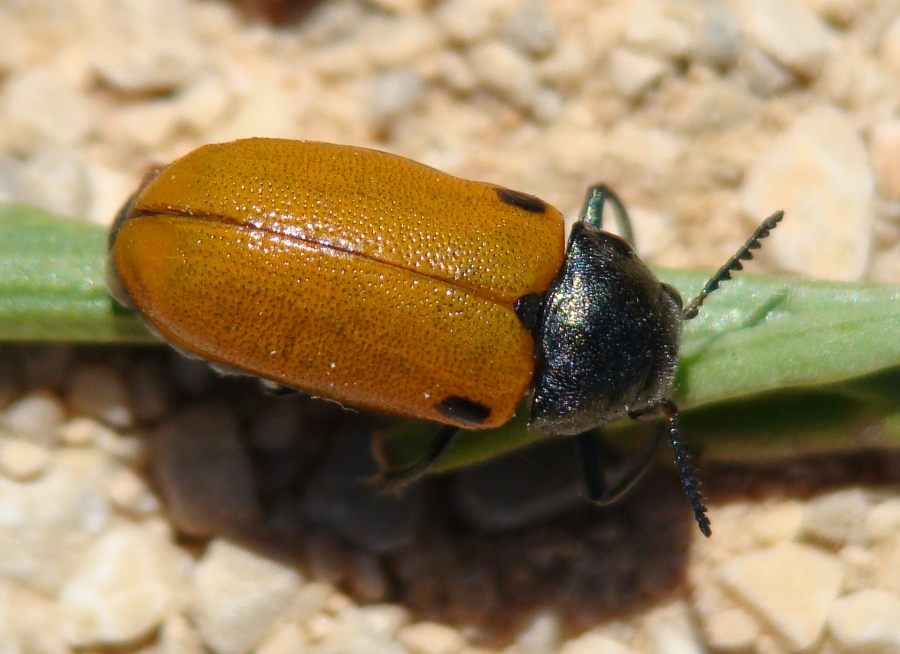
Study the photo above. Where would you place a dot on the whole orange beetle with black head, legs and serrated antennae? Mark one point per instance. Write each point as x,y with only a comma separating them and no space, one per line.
381,283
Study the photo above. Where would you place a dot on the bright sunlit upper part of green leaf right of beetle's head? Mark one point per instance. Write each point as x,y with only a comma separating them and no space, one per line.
760,333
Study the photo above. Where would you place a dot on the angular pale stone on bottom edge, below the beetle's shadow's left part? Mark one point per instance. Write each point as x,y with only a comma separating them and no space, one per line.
239,596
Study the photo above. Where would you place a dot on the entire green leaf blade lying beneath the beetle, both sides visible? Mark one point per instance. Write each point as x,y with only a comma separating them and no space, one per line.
770,364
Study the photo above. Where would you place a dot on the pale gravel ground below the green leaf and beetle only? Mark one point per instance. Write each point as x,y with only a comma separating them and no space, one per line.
88,532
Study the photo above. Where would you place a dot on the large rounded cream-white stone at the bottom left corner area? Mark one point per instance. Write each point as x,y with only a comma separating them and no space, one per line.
122,590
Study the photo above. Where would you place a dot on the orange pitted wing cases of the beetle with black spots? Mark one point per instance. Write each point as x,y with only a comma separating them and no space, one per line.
352,274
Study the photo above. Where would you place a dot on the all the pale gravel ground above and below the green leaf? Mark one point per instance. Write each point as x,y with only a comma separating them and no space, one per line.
702,114
